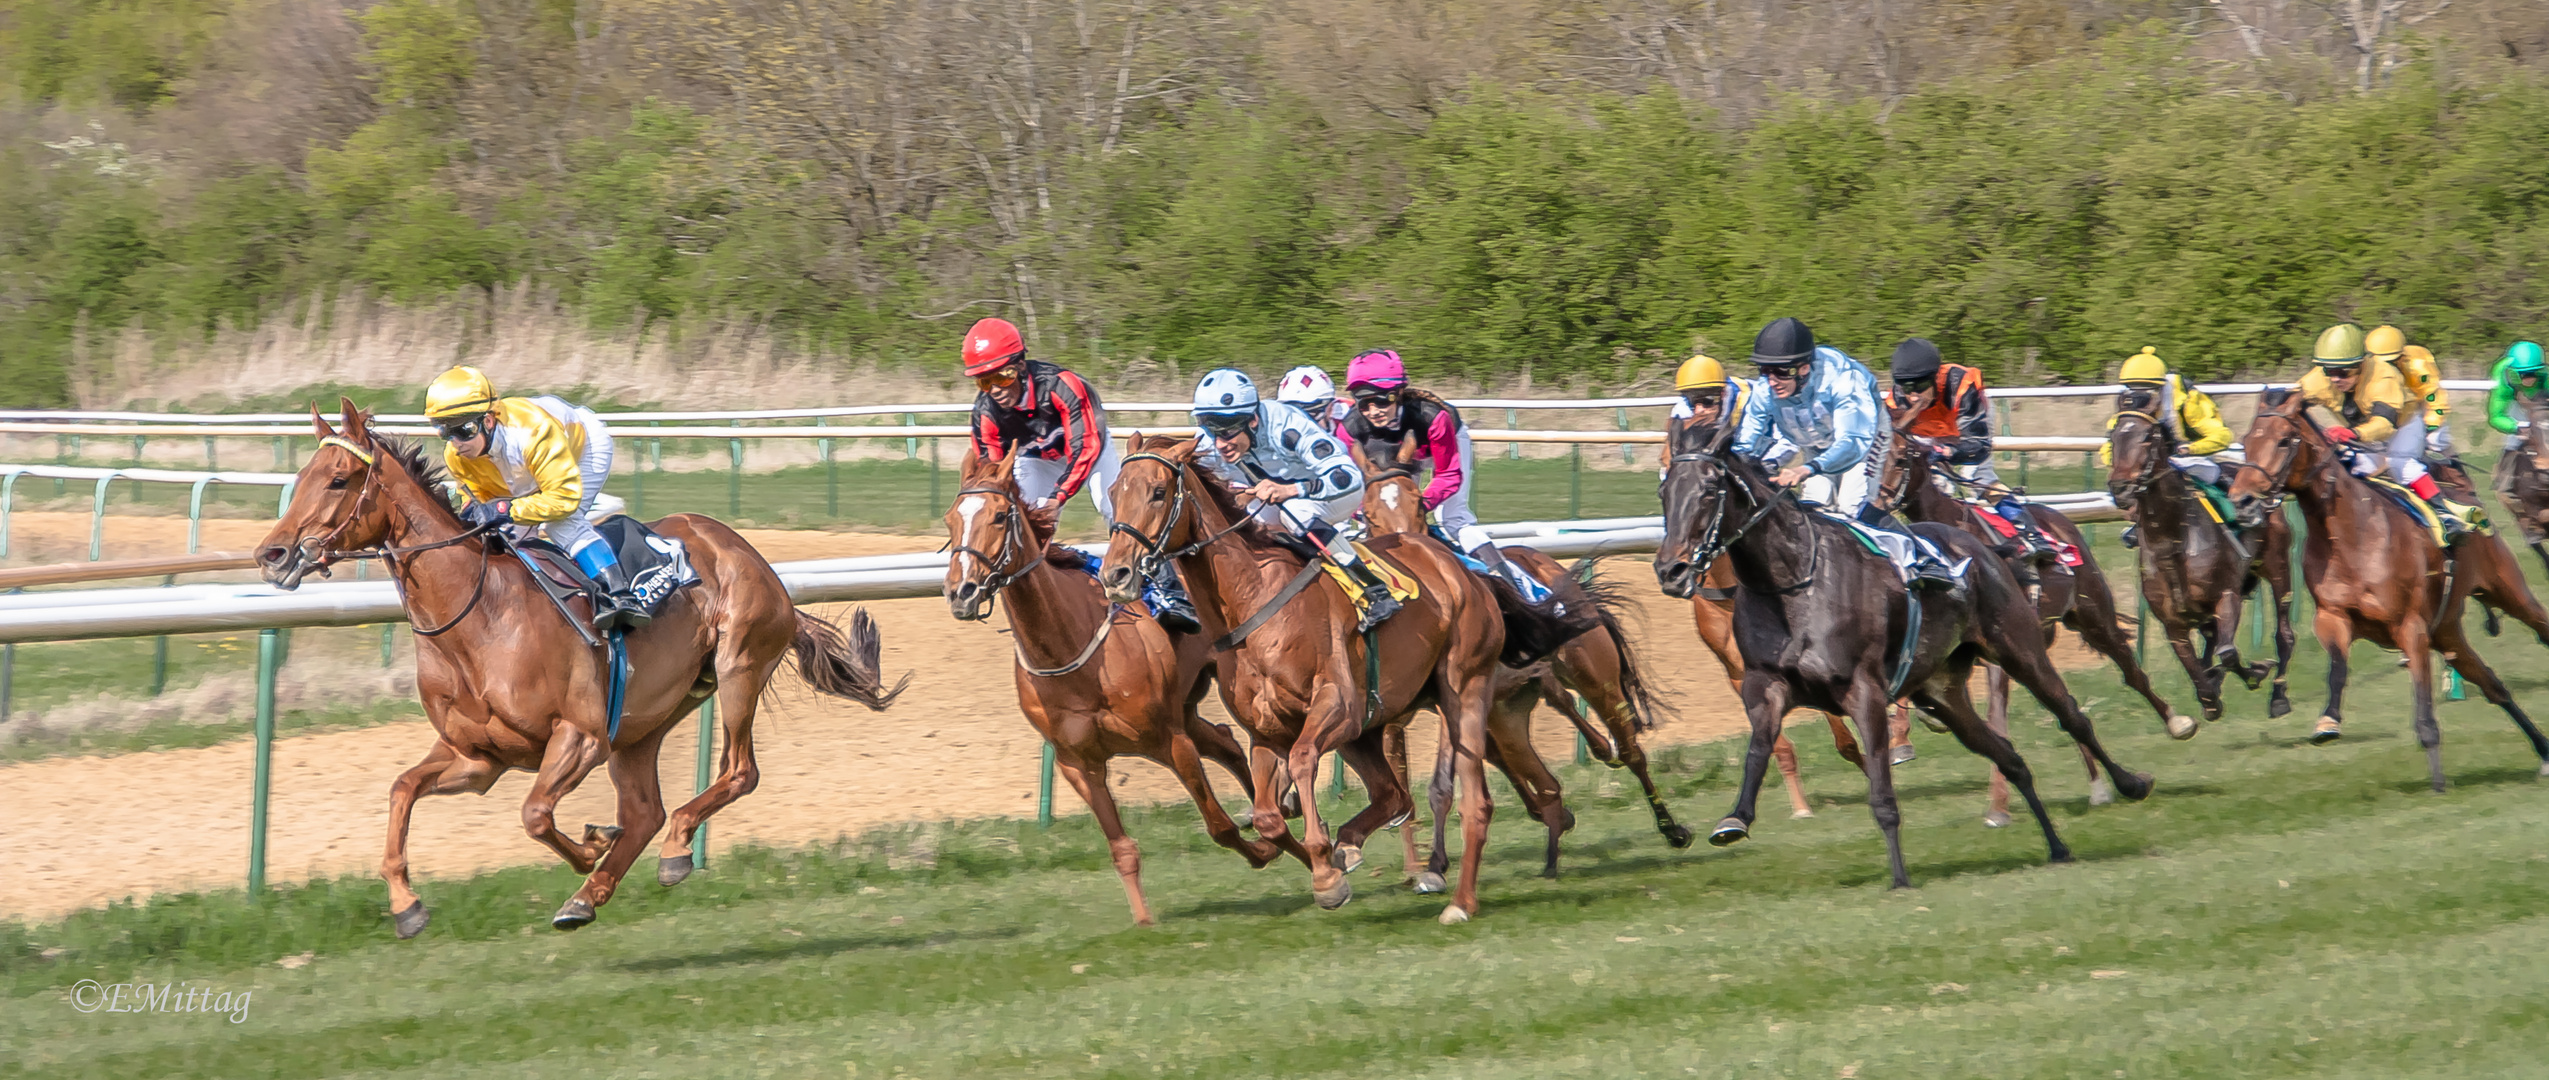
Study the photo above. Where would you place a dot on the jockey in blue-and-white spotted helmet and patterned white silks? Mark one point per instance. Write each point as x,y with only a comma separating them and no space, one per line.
1296,470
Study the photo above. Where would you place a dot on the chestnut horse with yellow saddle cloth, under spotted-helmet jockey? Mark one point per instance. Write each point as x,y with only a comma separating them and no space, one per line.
1296,681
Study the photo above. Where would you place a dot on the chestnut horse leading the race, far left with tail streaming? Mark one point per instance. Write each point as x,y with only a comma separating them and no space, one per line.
511,686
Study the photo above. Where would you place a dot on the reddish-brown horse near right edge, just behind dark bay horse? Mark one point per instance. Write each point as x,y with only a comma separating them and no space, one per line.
2372,572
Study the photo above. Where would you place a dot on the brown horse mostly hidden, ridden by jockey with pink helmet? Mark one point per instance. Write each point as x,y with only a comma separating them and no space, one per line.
1594,669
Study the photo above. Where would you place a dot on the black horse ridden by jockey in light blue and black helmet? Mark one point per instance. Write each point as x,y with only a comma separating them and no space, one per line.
1829,625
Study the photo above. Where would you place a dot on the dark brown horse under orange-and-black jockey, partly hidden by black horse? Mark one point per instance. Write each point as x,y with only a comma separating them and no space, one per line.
2066,597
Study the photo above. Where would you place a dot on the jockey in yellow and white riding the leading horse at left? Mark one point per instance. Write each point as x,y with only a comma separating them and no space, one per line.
534,465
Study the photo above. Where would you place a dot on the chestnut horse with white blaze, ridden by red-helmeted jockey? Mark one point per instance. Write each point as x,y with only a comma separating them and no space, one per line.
1095,679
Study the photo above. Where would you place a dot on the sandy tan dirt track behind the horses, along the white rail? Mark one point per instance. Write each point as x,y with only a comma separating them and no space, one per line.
98,829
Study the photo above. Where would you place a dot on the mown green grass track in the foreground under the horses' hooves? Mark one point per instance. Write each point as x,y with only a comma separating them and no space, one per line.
2272,911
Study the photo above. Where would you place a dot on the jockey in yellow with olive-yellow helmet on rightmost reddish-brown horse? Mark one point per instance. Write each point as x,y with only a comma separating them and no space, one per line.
2369,401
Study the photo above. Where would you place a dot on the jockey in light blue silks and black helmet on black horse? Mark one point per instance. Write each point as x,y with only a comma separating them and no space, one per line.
1824,404
